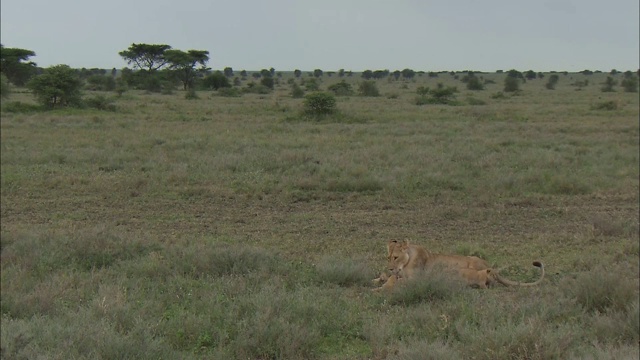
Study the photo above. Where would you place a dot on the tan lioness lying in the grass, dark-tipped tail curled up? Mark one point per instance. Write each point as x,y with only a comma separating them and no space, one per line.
405,260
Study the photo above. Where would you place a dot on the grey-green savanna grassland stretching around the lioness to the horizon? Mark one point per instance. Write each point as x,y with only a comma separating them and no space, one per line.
235,227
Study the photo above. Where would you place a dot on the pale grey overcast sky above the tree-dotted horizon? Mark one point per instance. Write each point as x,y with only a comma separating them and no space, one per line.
484,35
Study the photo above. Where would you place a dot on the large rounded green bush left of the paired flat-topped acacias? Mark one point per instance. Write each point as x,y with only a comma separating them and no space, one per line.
58,86
